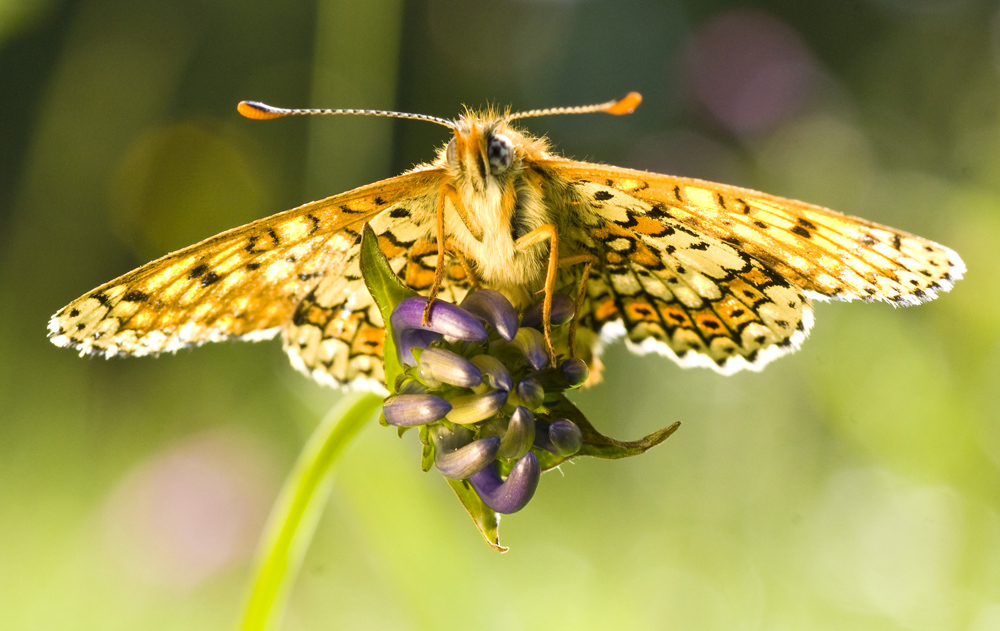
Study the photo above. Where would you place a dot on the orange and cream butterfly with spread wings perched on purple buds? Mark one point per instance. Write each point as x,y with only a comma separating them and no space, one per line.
707,274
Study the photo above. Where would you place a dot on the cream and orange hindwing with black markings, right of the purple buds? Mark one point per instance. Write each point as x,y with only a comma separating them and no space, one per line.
690,296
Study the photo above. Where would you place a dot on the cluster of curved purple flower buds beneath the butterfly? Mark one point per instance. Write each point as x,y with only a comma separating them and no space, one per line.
477,379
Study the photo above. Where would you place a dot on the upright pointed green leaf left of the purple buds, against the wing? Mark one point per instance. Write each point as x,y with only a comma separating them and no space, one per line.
387,291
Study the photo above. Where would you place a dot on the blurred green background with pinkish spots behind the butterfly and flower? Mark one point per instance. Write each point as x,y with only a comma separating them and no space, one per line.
853,485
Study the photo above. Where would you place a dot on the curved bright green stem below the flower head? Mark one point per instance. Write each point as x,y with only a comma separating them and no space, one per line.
293,518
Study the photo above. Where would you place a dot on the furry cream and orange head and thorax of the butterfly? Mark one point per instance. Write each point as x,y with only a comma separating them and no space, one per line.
488,166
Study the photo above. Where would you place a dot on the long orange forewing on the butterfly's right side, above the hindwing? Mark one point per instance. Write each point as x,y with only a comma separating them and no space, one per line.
828,254
